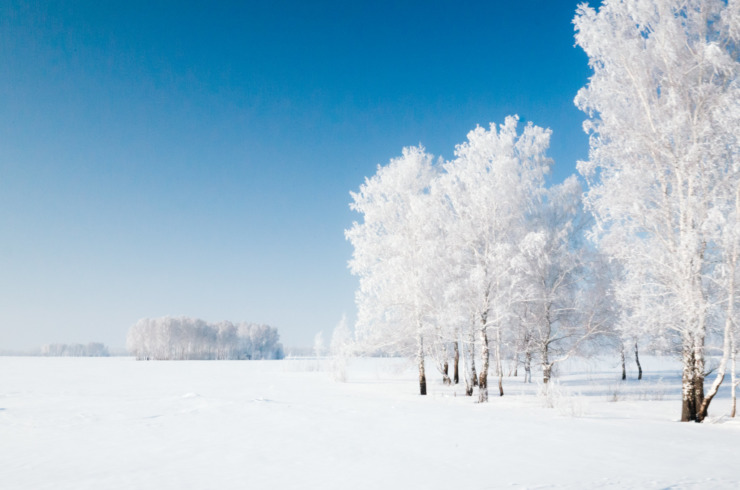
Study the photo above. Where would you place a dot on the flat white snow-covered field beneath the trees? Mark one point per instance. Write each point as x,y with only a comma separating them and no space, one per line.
109,423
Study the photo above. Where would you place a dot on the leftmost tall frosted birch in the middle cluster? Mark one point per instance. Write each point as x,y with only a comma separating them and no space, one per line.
392,255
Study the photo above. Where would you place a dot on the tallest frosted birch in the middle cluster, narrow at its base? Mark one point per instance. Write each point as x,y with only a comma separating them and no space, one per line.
491,187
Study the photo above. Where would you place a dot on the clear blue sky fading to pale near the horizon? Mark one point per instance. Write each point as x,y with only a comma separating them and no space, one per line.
196,158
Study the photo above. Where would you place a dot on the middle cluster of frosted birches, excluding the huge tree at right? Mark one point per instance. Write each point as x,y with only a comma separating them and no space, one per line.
476,258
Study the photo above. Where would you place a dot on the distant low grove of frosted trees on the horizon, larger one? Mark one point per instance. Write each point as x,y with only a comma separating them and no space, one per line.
182,338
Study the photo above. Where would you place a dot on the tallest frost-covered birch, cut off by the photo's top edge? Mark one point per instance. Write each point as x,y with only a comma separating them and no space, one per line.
664,107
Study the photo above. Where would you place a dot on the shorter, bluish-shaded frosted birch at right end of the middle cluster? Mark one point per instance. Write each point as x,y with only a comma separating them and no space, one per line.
556,279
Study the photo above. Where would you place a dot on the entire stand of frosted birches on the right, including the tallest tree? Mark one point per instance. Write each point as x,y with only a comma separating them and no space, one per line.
476,255
